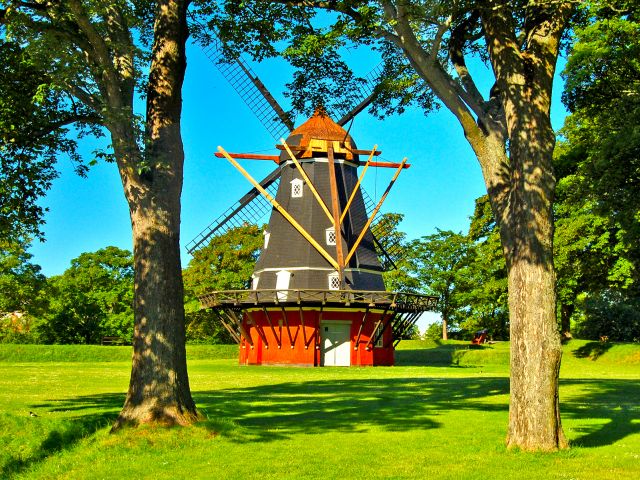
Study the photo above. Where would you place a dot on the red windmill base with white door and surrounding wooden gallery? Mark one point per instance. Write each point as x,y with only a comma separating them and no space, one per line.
318,328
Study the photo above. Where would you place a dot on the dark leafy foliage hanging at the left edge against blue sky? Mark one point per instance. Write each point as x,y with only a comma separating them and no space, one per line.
30,142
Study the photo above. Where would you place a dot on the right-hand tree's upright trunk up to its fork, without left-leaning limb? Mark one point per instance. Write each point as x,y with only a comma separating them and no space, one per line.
524,79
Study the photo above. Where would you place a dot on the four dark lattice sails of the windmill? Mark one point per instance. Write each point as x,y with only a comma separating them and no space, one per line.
252,208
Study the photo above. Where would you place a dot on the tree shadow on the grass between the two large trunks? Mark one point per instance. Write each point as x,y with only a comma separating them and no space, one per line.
274,412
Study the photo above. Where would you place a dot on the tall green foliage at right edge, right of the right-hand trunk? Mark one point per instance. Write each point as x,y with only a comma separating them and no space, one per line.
601,156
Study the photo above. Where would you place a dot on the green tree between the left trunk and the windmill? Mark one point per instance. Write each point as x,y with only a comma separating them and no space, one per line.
226,263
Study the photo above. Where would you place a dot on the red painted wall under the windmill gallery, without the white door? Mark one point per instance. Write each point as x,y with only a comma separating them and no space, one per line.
288,347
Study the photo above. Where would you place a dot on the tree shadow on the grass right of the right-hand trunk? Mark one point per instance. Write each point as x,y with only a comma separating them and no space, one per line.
615,403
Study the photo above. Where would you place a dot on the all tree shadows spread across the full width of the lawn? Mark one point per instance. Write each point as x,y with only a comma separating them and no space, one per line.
267,413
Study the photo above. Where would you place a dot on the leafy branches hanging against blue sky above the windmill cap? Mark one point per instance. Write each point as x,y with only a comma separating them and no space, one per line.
313,42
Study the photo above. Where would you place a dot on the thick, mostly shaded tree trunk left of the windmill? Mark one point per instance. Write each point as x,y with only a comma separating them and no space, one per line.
159,387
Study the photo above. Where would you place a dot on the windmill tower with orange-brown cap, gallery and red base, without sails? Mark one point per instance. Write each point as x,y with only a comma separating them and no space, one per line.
317,295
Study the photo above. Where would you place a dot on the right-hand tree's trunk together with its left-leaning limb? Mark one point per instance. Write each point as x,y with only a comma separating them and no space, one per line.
519,180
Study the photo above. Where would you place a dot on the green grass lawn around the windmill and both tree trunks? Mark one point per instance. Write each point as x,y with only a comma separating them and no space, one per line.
441,413
